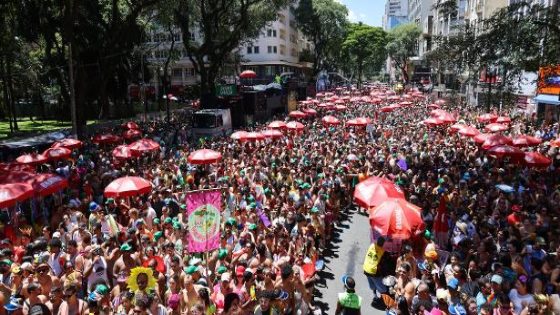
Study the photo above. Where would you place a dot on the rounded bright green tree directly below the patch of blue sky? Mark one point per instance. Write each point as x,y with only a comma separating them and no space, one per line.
366,46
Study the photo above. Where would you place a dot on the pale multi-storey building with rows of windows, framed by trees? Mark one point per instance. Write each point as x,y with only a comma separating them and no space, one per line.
277,50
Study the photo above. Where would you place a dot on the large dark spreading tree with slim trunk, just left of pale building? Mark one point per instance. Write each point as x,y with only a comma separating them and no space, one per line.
222,26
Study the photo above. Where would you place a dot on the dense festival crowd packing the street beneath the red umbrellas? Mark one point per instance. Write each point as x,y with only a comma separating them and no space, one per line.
482,250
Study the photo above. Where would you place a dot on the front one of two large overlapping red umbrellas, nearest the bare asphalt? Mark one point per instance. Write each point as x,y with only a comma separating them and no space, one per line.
396,218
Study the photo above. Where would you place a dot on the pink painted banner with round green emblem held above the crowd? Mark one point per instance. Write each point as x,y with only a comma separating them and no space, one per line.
203,212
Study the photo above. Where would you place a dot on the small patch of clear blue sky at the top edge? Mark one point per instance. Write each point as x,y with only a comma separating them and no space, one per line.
367,11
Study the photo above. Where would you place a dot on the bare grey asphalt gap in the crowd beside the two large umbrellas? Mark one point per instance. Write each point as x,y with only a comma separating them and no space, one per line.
345,257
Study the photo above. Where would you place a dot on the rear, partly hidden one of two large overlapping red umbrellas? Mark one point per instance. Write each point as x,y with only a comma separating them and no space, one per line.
374,190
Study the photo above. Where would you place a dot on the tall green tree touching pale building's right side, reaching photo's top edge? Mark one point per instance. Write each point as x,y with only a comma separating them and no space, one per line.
324,23
